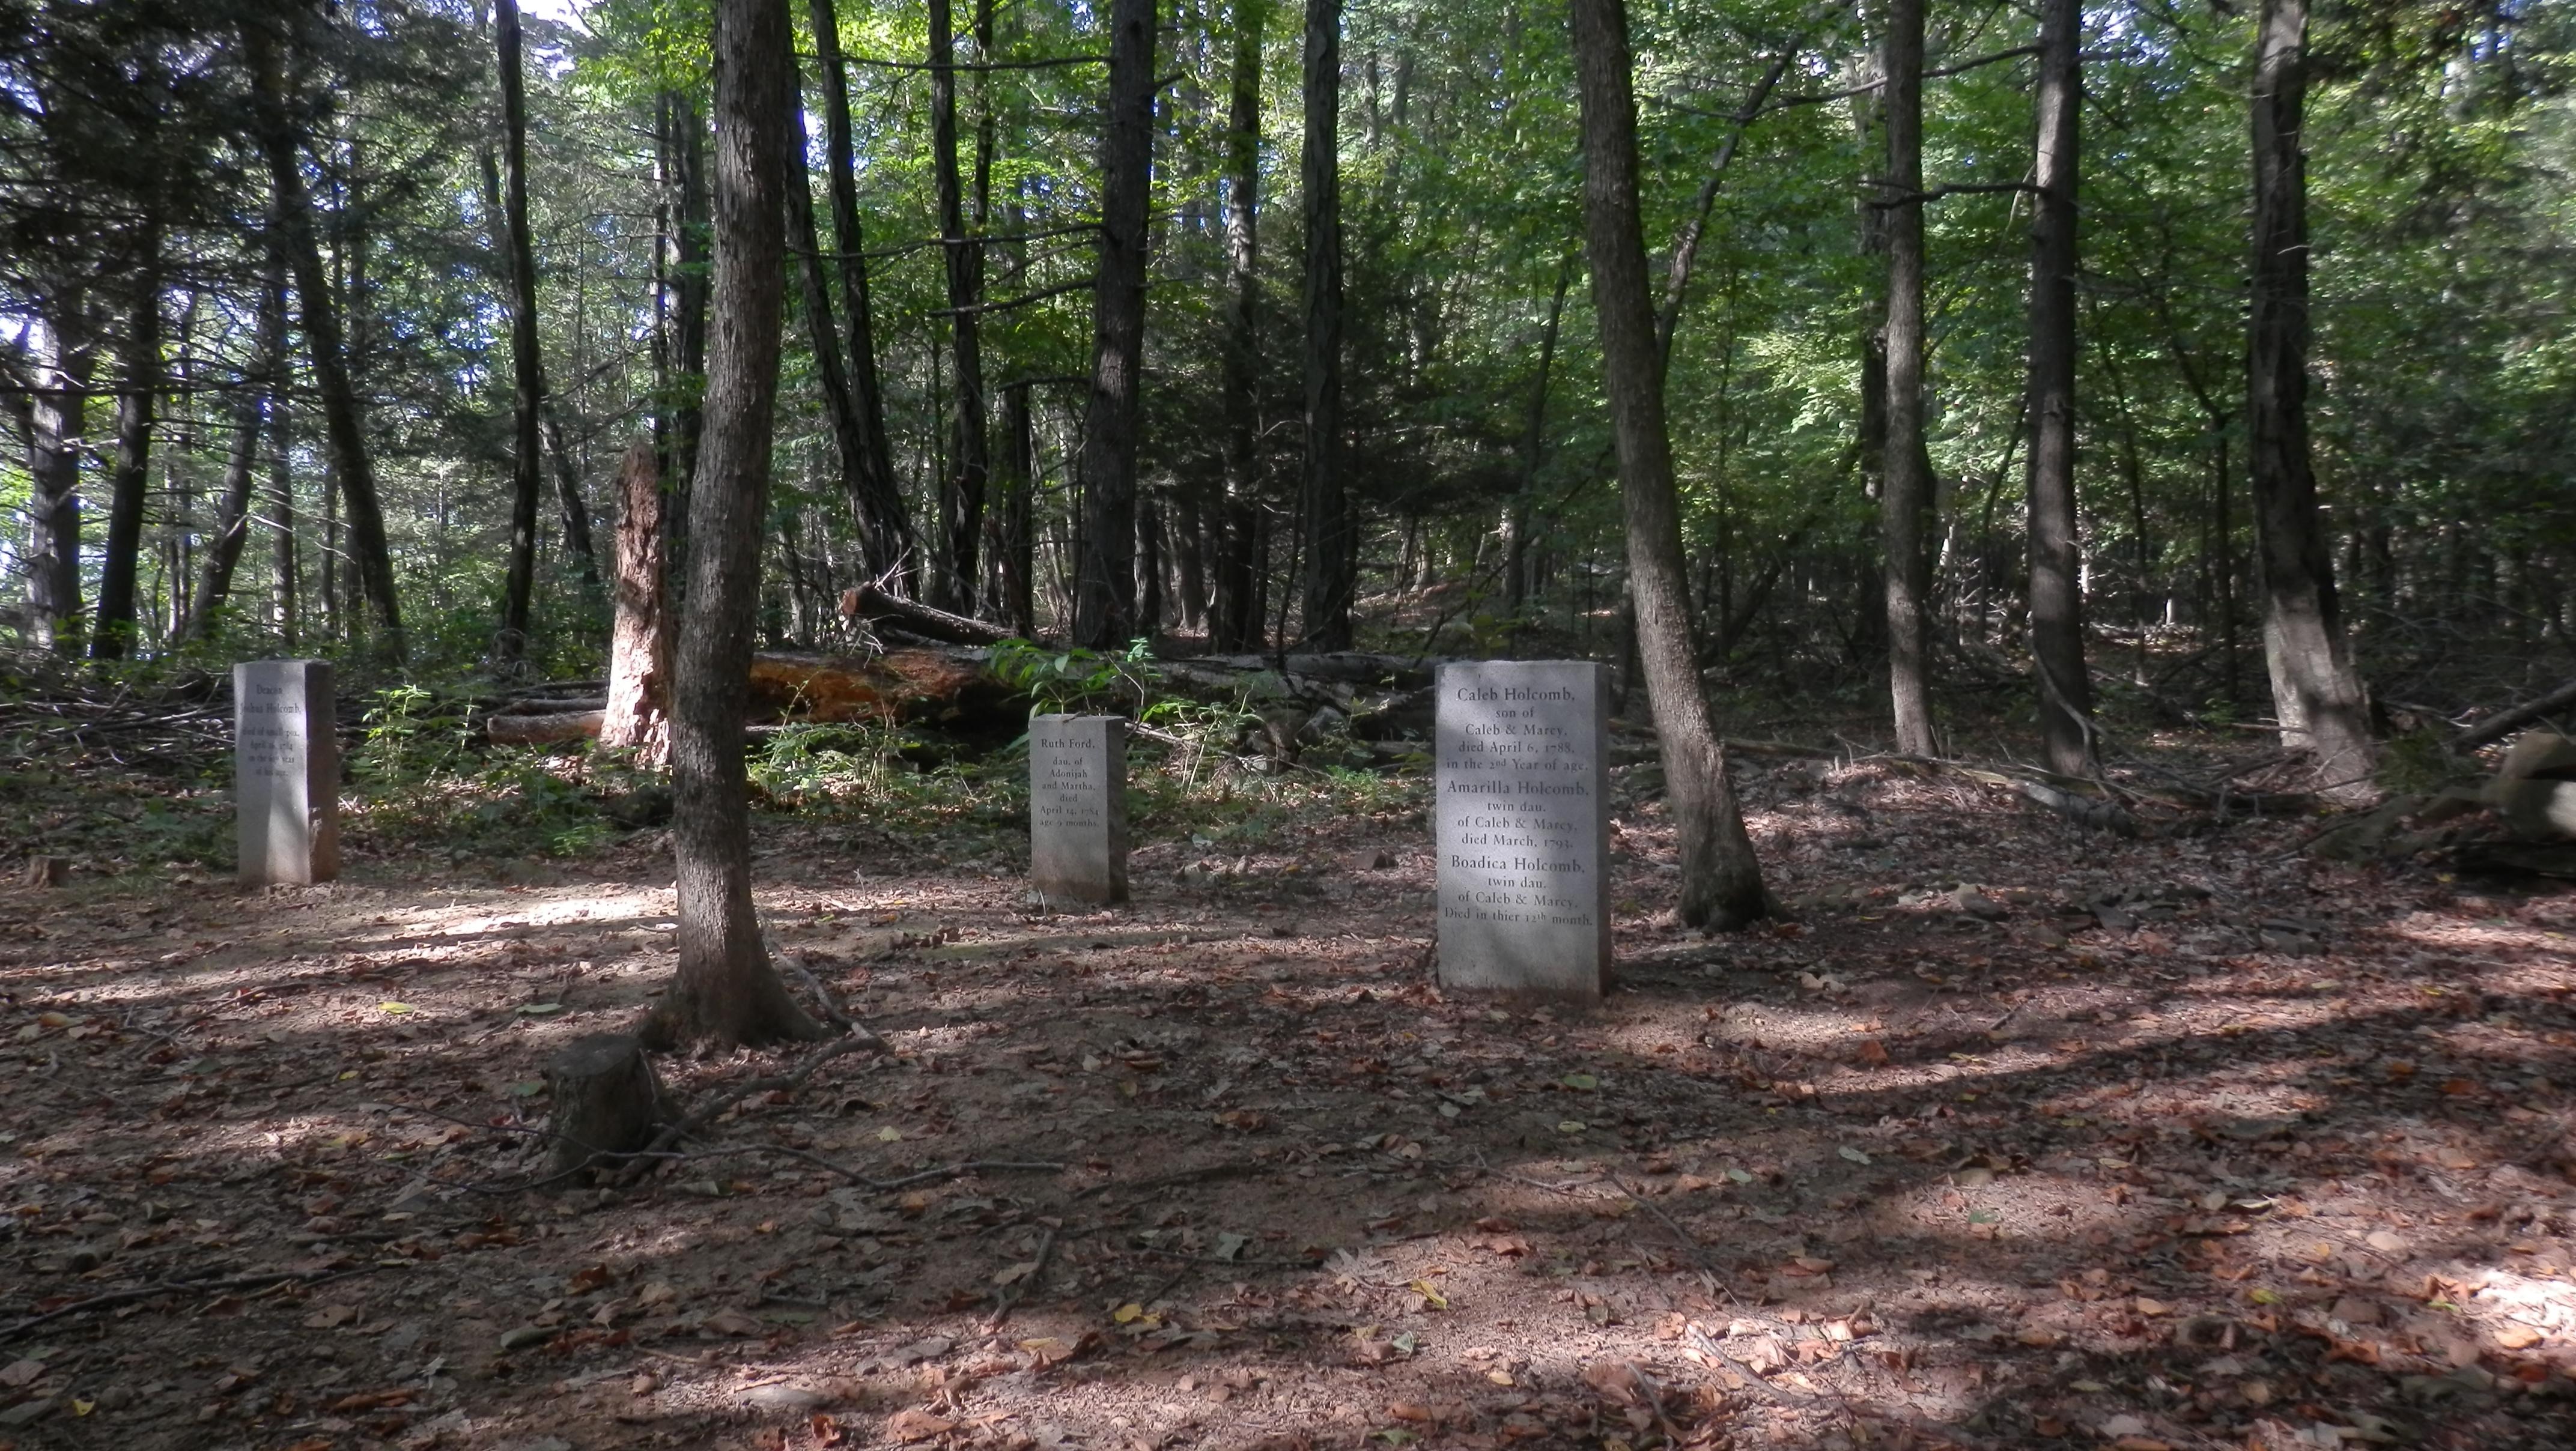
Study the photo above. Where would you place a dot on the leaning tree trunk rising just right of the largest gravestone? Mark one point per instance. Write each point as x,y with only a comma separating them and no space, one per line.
1722,880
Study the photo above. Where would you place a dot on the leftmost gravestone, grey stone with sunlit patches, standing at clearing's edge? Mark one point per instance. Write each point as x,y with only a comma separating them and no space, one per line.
287,772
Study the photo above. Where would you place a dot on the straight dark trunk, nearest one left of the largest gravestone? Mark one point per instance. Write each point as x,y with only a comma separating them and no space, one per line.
1238,622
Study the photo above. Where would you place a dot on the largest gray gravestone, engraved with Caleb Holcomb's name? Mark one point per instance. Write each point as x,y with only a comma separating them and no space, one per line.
1524,829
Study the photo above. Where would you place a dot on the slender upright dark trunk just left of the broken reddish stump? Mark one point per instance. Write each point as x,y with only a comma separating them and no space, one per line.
527,365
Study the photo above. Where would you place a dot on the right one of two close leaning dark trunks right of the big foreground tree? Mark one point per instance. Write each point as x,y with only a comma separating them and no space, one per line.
875,496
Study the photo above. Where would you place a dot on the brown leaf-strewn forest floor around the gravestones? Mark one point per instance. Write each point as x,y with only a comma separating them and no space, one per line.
2137,1143
